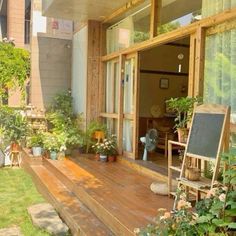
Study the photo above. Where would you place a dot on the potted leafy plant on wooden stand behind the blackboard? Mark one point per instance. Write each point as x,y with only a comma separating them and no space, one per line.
183,107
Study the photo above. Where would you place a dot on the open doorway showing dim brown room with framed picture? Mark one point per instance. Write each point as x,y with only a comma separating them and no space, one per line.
163,75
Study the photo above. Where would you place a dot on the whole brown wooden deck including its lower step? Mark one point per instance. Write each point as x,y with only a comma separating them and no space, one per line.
99,198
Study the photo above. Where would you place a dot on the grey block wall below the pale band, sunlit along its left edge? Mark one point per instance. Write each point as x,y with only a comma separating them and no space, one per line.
50,65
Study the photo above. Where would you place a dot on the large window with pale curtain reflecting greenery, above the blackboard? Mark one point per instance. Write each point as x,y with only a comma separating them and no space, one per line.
220,71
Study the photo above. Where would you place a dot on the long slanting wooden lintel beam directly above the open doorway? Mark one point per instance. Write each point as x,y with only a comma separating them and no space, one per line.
176,34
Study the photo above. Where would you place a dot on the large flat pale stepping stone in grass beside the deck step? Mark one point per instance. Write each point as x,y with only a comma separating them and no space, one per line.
44,216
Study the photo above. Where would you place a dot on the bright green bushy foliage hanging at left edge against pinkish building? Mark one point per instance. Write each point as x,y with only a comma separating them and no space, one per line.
14,67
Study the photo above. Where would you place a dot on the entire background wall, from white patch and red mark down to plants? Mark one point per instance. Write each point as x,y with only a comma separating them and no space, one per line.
51,53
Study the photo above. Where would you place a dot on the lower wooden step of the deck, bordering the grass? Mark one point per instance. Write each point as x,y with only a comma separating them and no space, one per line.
70,207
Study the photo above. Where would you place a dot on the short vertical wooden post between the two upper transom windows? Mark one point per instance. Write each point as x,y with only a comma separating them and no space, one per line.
155,17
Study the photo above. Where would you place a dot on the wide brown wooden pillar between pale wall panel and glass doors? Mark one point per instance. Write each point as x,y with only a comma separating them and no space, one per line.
93,70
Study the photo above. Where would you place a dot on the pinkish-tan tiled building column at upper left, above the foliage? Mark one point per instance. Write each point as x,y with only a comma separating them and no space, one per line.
16,21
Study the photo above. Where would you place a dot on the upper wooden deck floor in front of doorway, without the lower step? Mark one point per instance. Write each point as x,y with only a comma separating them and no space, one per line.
118,189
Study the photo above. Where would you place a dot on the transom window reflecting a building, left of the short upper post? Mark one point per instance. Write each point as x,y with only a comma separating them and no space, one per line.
133,29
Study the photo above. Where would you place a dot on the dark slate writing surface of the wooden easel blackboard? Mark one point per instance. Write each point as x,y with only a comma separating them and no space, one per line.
205,134
